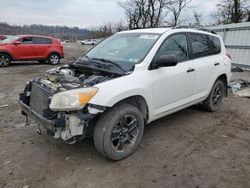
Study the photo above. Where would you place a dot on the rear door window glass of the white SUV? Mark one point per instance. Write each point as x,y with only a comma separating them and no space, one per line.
199,44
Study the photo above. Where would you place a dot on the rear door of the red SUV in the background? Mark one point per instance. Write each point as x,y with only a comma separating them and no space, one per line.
41,47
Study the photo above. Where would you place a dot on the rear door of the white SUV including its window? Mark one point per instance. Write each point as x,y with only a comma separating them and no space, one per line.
202,61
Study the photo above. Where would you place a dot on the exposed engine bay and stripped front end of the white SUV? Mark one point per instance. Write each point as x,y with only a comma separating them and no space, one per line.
70,125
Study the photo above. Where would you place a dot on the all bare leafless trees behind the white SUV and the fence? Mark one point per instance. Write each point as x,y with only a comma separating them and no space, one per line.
153,13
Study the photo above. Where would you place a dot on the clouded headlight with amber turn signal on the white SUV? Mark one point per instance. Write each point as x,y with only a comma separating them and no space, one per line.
73,99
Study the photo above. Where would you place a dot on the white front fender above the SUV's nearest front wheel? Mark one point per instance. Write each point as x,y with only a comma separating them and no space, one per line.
116,90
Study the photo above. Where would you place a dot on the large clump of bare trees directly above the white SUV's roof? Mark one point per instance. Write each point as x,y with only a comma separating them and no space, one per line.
150,13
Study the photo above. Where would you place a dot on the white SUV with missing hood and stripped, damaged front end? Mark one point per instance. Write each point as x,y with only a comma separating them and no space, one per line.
127,81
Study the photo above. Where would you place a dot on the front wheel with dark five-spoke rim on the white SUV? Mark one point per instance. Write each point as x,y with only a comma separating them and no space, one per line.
119,131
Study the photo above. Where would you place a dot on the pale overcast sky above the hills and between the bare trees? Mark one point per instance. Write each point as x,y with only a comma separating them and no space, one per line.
80,13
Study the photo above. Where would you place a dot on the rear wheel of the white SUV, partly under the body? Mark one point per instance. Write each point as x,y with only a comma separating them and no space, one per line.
215,98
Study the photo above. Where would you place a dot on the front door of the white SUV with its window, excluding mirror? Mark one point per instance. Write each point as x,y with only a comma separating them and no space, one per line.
173,86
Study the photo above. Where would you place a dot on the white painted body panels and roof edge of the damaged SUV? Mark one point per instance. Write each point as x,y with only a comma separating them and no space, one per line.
168,89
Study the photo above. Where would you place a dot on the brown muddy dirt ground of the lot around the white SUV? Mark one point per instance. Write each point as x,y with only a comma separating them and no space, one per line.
191,148
